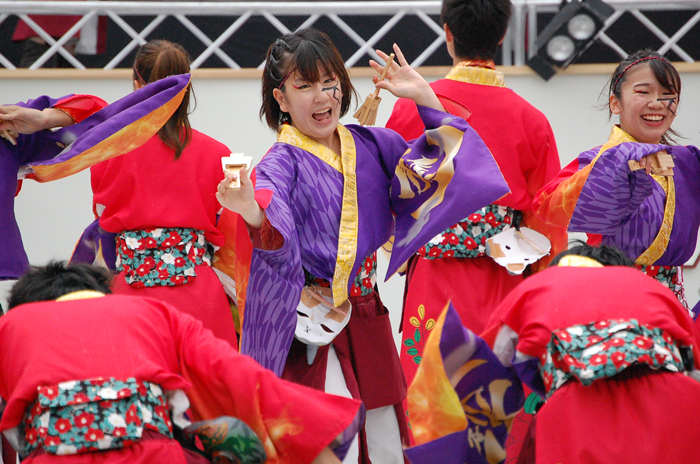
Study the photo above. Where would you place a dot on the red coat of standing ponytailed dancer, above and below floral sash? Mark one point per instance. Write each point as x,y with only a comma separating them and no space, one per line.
148,188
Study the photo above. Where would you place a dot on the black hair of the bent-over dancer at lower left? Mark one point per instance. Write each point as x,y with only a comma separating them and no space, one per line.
46,283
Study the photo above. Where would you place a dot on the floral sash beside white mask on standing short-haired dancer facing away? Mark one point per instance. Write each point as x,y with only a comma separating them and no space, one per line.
467,238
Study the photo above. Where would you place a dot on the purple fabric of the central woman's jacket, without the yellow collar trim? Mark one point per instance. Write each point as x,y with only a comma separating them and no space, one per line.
306,210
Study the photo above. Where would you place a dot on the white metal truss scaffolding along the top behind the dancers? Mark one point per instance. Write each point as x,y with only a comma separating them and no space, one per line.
345,16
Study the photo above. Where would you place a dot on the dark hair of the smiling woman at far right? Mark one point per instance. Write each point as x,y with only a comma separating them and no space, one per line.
663,70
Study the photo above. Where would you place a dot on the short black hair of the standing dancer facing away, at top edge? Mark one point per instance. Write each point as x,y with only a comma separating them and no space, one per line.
478,26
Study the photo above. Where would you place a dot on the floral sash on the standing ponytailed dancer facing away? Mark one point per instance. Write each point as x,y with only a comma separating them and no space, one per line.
160,257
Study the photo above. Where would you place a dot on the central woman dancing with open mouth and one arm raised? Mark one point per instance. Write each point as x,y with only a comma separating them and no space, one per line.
323,200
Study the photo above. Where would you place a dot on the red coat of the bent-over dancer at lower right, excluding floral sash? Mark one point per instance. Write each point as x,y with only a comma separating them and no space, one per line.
643,419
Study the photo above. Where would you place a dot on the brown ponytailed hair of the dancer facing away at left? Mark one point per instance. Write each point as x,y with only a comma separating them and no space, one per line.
156,60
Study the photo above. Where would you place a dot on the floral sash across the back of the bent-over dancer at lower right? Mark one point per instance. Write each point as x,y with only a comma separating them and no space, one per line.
603,349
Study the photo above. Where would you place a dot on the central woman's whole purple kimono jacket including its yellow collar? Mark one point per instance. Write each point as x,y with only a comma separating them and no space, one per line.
333,211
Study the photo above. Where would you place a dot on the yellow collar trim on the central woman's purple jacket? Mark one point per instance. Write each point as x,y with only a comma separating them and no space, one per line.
349,216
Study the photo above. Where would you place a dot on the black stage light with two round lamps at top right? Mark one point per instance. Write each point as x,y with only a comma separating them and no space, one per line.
568,35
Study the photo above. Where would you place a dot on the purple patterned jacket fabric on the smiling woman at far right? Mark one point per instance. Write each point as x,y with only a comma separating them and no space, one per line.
627,208
